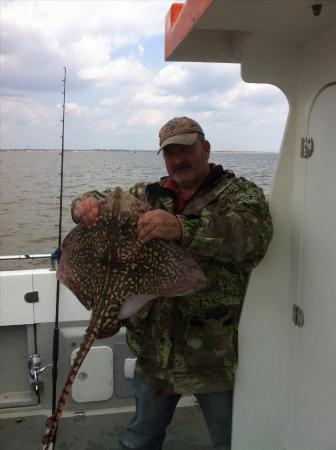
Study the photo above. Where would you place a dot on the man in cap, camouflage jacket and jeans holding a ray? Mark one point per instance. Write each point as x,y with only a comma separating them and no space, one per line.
189,345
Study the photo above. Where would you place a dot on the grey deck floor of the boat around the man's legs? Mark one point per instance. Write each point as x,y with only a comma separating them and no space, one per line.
187,432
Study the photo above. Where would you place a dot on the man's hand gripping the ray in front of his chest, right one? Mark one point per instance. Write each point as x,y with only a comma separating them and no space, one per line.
159,223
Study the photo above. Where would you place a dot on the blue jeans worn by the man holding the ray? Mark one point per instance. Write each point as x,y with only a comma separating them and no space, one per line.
147,429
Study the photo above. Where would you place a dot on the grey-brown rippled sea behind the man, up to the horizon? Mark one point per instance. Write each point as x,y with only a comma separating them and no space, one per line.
30,189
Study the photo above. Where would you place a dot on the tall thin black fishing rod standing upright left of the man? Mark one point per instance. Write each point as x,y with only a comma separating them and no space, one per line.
56,329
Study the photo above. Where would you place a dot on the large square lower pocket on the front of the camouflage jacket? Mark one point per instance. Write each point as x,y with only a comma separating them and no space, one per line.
210,344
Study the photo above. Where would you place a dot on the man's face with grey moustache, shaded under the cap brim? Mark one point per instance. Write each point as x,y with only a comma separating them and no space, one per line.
187,165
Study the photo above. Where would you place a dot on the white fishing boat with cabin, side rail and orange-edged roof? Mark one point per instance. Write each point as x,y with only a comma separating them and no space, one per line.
285,395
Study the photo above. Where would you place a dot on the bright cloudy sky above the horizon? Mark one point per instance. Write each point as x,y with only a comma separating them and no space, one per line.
119,89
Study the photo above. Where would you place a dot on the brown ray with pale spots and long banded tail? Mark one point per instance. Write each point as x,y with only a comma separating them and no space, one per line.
107,267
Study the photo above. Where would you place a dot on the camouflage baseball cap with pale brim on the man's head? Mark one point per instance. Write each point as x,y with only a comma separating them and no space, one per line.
180,130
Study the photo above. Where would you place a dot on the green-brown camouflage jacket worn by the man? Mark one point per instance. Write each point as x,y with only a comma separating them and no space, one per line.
190,344
